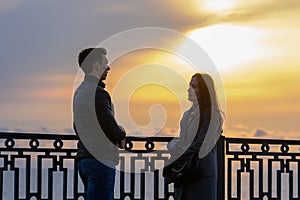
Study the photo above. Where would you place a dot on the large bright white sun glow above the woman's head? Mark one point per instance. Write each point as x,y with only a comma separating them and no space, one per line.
228,45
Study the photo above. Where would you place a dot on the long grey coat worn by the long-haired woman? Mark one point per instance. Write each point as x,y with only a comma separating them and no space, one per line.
193,132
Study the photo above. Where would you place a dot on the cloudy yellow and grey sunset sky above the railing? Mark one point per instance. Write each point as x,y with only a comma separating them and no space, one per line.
253,44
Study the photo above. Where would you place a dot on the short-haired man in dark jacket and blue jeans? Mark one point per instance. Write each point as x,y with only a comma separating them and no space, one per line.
95,124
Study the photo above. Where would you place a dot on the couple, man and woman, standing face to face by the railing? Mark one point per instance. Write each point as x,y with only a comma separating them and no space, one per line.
100,136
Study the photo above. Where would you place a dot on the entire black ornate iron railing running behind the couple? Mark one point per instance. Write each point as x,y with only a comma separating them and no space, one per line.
42,166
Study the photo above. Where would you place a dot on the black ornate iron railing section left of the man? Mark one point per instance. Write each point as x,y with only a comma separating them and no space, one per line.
31,164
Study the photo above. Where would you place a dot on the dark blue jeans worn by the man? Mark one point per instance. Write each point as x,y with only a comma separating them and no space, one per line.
98,179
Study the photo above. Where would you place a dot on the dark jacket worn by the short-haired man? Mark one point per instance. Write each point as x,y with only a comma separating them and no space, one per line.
94,122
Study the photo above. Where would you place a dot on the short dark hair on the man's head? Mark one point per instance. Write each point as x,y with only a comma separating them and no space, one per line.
88,57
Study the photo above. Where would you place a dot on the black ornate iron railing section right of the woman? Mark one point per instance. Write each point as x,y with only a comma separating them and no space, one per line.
262,169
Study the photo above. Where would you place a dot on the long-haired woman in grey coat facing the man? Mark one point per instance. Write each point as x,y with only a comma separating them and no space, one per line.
201,127
